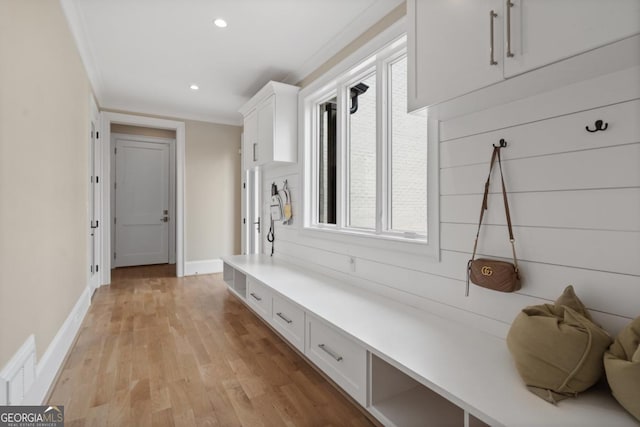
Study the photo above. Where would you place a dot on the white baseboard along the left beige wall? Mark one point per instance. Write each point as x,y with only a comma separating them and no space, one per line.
53,358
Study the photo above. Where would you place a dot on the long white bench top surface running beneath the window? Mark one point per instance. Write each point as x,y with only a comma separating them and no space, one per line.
472,369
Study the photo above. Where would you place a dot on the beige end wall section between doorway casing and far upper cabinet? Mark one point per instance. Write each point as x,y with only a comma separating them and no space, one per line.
212,190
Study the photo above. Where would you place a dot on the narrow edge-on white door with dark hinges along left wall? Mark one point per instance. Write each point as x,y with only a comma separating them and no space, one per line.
94,204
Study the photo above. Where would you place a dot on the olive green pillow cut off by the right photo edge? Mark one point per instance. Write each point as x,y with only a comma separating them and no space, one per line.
622,364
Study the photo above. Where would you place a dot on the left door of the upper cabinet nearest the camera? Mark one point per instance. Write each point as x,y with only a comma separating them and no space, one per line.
449,48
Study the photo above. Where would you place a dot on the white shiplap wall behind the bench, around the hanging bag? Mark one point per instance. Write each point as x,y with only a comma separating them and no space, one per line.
574,198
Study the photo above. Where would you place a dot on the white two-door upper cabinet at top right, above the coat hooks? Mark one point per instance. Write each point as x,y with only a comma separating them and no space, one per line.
456,47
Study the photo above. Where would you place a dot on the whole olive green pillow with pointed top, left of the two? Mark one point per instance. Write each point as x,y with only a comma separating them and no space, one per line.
557,348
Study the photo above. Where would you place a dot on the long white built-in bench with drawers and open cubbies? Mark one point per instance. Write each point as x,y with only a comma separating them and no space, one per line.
405,366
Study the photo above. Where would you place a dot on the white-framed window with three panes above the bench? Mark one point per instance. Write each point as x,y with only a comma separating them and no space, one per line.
366,161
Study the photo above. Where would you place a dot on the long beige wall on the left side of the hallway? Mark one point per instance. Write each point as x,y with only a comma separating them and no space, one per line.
44,129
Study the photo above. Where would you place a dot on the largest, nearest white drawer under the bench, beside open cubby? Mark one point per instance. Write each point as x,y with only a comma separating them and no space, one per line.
338,356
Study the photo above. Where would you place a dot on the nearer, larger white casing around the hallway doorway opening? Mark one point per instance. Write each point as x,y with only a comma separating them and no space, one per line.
109,118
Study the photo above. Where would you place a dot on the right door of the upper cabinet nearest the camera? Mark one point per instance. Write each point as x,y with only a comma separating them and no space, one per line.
546,31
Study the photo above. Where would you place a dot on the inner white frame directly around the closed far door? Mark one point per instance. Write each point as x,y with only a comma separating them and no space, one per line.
171,142
